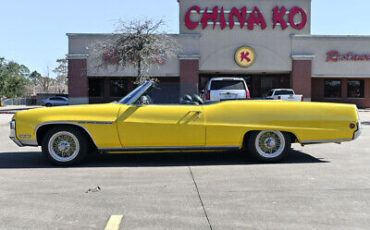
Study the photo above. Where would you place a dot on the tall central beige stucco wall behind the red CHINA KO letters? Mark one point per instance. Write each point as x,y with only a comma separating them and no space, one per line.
272,46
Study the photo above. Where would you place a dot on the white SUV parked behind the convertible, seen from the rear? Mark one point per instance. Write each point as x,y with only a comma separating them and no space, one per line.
226,88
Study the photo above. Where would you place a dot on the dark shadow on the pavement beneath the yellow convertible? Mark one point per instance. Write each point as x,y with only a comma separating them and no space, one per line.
10,160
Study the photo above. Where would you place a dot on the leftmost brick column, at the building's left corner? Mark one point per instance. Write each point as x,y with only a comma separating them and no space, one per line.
78,88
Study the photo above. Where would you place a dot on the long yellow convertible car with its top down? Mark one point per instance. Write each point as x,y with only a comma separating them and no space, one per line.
264,129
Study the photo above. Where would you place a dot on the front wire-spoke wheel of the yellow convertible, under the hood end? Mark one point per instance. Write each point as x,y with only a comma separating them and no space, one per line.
65,146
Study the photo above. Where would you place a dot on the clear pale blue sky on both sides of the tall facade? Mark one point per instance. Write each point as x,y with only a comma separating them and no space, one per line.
33,31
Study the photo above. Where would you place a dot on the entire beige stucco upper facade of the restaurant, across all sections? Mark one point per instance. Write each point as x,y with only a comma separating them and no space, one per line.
274,47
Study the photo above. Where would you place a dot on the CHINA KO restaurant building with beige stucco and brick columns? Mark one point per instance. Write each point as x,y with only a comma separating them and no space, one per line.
268,43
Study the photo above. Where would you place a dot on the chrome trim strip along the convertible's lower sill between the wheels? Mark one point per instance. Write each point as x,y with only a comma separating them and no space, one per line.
169,148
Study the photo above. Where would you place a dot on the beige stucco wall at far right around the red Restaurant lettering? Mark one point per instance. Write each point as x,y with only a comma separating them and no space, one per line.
320,45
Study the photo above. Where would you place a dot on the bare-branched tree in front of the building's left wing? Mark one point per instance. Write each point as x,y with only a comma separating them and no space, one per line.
139,44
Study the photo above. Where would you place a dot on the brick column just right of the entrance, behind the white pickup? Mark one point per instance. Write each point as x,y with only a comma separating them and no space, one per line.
301,76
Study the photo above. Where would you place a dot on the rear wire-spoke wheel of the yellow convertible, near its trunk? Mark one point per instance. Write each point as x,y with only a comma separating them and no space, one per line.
269,145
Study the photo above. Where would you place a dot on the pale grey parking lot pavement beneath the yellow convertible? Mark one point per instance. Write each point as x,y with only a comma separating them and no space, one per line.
317,187
